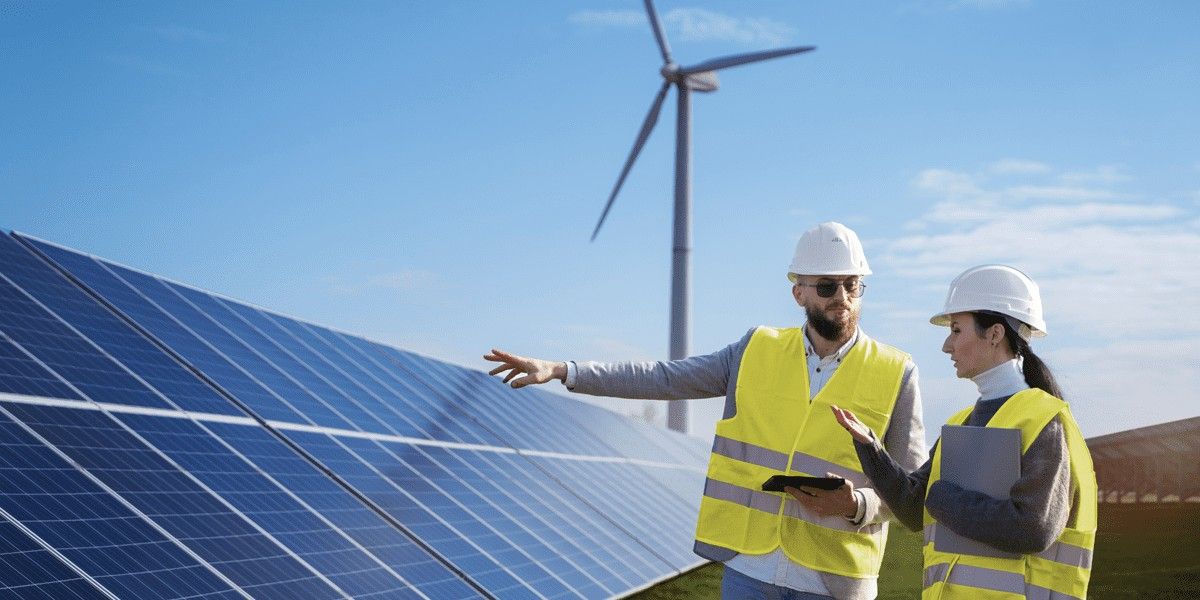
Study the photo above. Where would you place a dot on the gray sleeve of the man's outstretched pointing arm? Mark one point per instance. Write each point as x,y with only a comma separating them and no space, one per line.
695,377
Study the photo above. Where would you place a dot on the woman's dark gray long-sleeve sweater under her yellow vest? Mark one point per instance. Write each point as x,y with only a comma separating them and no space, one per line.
1029,521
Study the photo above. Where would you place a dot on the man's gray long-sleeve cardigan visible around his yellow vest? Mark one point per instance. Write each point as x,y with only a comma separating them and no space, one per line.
716,375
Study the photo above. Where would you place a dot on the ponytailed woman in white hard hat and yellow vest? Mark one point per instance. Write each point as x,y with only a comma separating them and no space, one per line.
1049,519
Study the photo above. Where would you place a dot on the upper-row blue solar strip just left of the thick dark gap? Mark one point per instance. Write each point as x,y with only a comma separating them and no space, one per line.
109,332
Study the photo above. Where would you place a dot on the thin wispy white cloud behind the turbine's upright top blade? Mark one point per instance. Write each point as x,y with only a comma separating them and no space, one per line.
695,26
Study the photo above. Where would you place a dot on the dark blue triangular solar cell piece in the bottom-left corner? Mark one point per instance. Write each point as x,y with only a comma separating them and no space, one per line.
28,572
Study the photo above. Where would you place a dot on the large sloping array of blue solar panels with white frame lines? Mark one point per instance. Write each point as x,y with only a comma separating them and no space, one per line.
163,442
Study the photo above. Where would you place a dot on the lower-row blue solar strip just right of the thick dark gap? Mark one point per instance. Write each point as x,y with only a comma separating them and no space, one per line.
455,545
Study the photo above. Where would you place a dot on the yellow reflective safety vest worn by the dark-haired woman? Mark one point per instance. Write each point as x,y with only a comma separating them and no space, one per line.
1061,573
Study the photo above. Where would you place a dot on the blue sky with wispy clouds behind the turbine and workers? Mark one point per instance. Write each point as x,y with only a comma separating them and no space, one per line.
429,173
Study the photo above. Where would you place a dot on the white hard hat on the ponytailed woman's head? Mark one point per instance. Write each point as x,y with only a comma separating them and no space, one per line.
997,289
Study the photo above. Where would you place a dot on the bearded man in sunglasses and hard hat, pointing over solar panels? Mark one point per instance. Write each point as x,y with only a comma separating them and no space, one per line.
779,386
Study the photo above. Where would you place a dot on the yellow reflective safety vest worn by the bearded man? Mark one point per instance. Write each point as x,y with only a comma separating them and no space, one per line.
778,430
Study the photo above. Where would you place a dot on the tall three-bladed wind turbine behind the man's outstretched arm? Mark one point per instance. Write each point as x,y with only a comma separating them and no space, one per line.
703,79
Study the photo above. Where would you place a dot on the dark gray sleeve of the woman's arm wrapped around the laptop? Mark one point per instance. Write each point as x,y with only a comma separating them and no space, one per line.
1037,509
